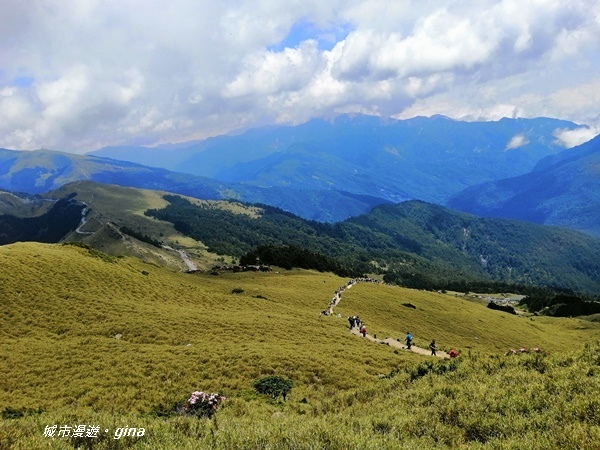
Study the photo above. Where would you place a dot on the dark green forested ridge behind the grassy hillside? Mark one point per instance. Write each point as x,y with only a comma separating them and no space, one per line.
414,244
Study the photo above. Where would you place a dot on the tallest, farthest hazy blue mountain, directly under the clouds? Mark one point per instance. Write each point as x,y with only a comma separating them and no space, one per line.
420,158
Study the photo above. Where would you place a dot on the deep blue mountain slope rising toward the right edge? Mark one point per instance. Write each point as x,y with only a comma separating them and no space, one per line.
563,190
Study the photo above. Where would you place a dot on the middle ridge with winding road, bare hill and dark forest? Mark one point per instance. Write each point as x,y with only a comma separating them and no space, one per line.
413,243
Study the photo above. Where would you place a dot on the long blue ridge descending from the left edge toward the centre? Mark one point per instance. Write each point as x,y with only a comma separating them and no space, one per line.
42,170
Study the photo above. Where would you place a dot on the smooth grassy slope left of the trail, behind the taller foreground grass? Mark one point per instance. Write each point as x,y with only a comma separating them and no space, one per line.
63,327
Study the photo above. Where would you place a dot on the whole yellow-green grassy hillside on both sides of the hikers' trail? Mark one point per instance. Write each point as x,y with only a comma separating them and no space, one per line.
92,339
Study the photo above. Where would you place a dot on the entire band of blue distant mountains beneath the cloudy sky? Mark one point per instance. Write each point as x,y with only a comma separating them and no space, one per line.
331,170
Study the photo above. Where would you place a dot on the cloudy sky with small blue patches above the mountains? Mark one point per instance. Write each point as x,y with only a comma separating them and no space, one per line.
77,75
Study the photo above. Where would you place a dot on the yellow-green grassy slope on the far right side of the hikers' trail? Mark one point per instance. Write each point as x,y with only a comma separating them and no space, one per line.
456,322
